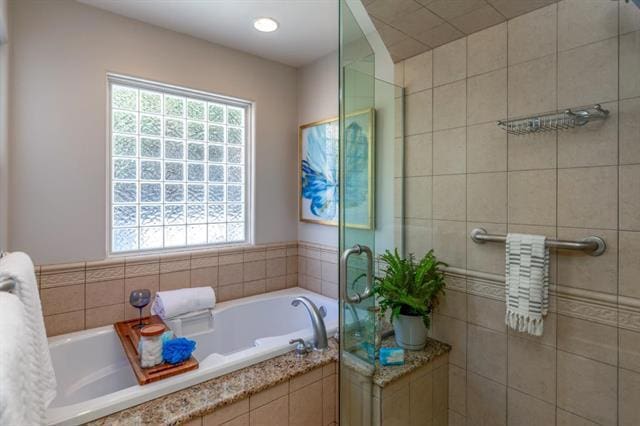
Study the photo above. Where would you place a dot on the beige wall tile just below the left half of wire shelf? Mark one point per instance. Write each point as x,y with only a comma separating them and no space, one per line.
531,152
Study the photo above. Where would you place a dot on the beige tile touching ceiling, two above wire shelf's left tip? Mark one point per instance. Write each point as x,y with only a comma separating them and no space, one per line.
487,50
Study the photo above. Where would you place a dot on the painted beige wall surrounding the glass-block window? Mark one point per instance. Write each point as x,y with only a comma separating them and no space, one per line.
62,51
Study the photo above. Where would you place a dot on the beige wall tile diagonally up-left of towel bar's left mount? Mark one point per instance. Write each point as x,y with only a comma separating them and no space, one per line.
449,193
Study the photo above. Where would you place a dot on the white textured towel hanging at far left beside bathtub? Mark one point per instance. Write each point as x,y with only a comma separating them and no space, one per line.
28,383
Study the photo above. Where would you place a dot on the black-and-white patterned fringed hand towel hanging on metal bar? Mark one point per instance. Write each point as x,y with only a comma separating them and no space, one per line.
527,282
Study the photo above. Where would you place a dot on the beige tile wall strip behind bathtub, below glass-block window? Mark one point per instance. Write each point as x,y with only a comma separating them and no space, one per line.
91,294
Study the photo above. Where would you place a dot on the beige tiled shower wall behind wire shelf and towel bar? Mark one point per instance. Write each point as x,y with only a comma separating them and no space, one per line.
463,172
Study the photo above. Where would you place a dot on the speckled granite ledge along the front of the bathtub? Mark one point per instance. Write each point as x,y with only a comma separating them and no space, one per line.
202,399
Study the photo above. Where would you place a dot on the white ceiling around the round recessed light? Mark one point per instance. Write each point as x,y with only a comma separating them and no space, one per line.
308,28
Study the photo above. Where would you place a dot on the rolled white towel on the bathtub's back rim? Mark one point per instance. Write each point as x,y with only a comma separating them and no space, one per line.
169,304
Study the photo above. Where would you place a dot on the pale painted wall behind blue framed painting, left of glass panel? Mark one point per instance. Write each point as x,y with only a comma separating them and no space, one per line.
318,100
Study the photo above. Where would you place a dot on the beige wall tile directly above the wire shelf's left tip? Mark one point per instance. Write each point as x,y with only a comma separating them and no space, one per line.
487,97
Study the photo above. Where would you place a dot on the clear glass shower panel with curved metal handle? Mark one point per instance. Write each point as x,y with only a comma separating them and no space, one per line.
370,222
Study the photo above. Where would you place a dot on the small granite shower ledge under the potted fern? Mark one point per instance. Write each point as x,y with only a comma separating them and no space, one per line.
413,360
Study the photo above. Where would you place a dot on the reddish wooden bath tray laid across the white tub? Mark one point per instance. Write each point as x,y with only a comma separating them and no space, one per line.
130,336
